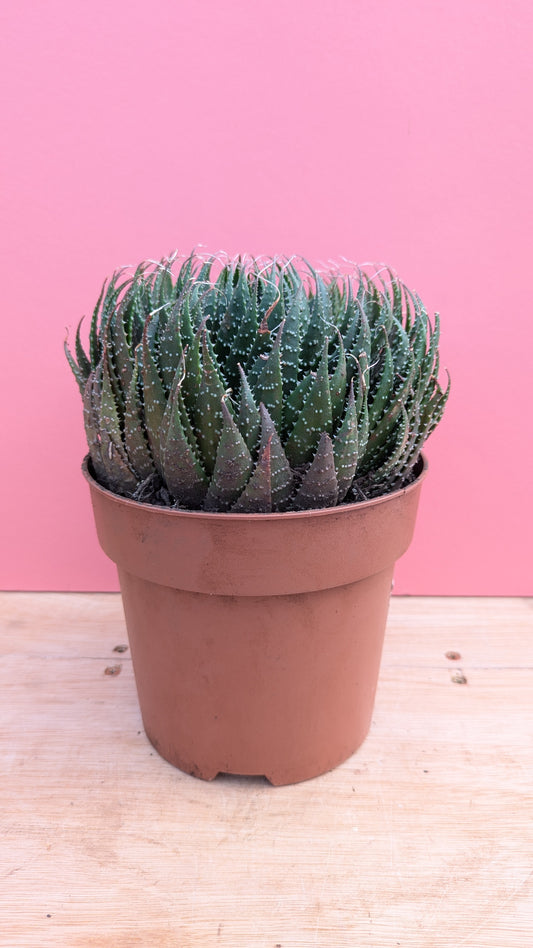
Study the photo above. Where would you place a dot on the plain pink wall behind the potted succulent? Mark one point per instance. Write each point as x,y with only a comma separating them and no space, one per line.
376,130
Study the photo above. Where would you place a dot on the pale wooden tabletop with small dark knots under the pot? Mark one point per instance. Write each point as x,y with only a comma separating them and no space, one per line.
423,838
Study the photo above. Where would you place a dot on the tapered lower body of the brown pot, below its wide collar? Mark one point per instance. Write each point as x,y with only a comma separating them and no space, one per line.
277,686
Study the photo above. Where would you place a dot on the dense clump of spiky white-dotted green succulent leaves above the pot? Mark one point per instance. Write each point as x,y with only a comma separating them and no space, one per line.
253,386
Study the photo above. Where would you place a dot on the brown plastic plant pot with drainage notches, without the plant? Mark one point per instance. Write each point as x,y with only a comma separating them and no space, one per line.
256,638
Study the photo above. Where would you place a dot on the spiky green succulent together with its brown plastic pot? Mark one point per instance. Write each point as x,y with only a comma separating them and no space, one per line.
255,431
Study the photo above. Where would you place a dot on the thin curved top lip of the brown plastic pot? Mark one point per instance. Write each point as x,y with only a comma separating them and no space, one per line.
227,517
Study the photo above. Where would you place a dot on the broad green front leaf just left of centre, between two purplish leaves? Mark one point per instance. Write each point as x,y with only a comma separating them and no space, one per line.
233,466
